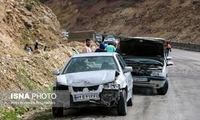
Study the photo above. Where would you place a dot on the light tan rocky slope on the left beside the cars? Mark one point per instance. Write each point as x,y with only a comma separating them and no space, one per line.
22,22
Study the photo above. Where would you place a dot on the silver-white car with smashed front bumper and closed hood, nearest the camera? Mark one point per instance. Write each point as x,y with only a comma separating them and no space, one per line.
94,79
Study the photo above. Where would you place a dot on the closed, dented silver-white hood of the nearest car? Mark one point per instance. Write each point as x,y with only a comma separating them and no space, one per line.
85,79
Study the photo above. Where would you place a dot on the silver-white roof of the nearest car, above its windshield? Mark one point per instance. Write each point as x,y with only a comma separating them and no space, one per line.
95,54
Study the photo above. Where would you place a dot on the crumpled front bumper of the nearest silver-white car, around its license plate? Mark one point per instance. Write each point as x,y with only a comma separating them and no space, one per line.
108,98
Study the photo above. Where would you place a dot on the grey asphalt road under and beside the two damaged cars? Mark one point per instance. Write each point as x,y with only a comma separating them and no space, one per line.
182,101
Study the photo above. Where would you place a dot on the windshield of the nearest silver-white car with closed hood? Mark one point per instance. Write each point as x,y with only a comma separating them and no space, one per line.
83,64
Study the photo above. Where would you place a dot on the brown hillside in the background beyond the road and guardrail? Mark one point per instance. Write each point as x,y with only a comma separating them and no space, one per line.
177,20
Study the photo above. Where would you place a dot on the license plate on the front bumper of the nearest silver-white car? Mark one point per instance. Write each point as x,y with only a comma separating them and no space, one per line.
86,97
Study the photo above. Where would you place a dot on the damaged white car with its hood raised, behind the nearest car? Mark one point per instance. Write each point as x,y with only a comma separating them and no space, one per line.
150,64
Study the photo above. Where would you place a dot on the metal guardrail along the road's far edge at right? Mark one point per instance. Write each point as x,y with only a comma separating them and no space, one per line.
186,46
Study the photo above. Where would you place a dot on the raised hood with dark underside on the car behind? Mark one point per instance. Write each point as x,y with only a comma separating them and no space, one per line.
142,47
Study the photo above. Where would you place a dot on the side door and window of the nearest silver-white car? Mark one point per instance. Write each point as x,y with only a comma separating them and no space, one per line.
128,76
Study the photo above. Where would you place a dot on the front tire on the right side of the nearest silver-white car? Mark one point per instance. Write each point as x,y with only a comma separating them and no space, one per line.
122,104
